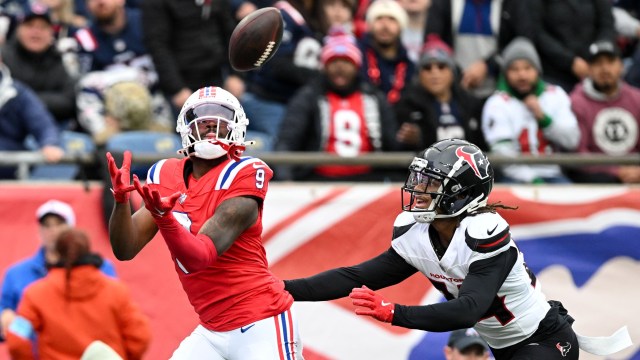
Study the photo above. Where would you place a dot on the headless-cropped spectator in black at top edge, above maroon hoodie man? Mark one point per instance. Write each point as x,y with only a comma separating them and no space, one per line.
565,29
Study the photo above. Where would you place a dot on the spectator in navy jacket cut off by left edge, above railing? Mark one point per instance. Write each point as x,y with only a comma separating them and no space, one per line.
23,114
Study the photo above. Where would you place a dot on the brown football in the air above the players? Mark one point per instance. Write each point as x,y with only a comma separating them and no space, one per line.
255,39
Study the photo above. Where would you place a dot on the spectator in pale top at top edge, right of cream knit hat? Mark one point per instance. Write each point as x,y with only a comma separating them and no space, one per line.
414,35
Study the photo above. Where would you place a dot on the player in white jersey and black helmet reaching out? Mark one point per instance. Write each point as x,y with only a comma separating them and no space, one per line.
449,233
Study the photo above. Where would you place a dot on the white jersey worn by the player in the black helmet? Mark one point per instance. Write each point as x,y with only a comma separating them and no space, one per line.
519,305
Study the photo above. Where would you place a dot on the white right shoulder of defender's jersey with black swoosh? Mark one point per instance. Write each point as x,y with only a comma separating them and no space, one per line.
487,232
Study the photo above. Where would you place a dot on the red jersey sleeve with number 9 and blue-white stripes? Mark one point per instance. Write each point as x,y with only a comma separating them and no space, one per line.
247,177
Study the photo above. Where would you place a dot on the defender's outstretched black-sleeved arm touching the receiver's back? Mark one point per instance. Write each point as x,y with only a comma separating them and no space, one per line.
386,269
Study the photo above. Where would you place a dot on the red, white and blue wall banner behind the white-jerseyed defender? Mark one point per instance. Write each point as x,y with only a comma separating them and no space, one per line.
582,242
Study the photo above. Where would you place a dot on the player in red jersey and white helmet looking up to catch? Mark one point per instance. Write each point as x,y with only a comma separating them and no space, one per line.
208,208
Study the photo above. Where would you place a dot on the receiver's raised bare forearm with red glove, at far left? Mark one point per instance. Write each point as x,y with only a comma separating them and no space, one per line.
127,234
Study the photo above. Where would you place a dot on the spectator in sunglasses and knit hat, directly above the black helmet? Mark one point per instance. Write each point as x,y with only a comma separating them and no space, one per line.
434,106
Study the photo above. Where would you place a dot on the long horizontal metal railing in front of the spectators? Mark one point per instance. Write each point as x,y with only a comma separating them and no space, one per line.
23,160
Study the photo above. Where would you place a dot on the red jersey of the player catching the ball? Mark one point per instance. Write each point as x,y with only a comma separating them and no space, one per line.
238,289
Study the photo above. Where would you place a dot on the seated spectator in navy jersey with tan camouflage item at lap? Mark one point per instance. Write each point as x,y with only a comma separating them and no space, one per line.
118,70
